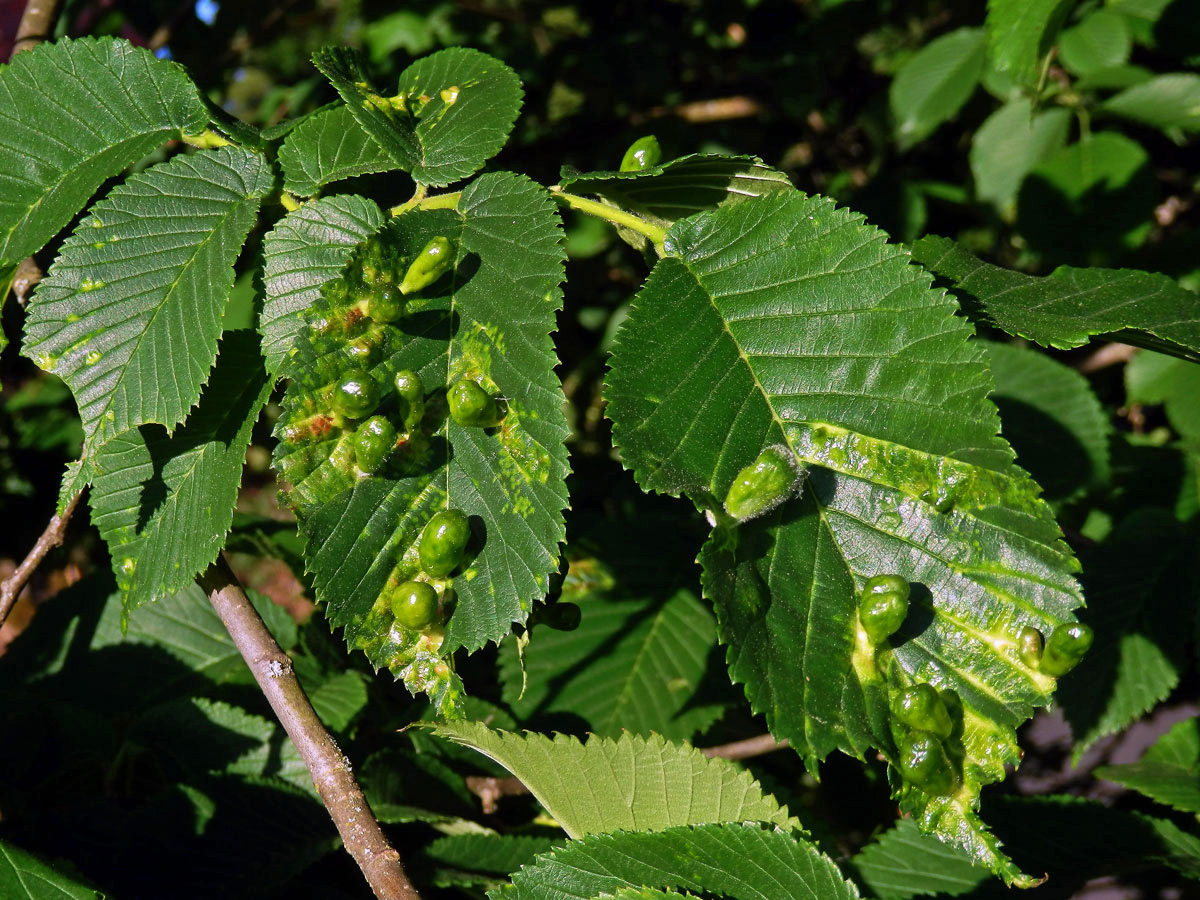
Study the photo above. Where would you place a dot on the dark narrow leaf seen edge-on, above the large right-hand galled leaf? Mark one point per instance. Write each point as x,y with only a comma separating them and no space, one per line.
664,194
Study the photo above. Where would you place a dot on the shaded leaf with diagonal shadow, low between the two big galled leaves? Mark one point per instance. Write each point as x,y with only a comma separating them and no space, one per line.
634,664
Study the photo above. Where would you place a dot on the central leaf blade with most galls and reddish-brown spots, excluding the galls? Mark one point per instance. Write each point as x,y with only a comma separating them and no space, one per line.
489,320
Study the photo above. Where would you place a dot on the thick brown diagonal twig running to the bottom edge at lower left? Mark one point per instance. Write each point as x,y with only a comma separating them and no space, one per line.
328,766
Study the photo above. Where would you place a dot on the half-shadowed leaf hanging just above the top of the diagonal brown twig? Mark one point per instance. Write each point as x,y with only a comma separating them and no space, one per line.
164,503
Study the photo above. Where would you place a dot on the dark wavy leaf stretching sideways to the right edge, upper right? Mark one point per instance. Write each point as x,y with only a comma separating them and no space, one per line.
1069,307
